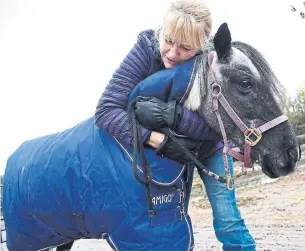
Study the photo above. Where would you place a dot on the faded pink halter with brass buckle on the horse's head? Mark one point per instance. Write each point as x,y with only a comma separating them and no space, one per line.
252,135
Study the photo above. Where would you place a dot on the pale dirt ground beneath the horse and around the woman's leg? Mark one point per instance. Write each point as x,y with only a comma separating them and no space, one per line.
274,212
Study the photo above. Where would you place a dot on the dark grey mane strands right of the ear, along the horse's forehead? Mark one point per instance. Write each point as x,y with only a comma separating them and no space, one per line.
264,69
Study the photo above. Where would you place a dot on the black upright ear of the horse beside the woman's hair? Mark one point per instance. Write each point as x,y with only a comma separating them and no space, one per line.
222,42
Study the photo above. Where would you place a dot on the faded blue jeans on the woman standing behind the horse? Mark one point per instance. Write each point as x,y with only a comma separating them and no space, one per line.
229,227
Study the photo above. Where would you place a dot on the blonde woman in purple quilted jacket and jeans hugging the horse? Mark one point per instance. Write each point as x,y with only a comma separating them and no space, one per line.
186,27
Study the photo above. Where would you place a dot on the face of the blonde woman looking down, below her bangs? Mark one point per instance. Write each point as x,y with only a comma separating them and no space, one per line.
173,53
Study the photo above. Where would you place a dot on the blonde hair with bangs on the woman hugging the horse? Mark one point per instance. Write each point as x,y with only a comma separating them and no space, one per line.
187,22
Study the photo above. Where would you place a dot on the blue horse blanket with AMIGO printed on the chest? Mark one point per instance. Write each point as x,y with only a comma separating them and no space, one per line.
79,183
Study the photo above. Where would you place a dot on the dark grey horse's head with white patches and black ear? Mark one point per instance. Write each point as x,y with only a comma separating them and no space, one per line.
254,93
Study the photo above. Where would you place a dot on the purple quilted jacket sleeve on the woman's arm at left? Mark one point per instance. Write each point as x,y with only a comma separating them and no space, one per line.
111,112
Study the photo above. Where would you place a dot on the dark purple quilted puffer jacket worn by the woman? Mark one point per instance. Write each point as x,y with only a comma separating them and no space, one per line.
143,60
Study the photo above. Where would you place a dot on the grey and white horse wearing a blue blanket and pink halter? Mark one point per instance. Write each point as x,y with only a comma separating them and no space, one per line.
85,179
